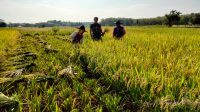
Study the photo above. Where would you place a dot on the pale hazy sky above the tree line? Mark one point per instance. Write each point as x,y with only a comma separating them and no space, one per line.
33,11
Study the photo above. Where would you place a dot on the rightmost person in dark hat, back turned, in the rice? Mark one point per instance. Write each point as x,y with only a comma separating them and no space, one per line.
119,31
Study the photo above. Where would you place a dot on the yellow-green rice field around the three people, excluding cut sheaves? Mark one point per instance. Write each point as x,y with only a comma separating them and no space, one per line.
151,69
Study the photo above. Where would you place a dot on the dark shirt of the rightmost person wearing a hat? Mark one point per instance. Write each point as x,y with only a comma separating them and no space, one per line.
119,32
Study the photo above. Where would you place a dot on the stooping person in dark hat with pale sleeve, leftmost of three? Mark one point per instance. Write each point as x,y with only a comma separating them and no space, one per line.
77,36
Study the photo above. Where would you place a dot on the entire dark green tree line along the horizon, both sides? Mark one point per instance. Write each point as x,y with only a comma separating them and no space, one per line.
173,18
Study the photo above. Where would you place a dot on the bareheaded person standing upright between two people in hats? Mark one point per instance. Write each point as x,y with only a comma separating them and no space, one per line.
96,30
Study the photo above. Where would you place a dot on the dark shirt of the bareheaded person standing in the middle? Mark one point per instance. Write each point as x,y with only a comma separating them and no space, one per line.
96,31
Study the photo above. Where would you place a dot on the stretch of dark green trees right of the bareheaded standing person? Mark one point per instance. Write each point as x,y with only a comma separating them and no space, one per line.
173,18
